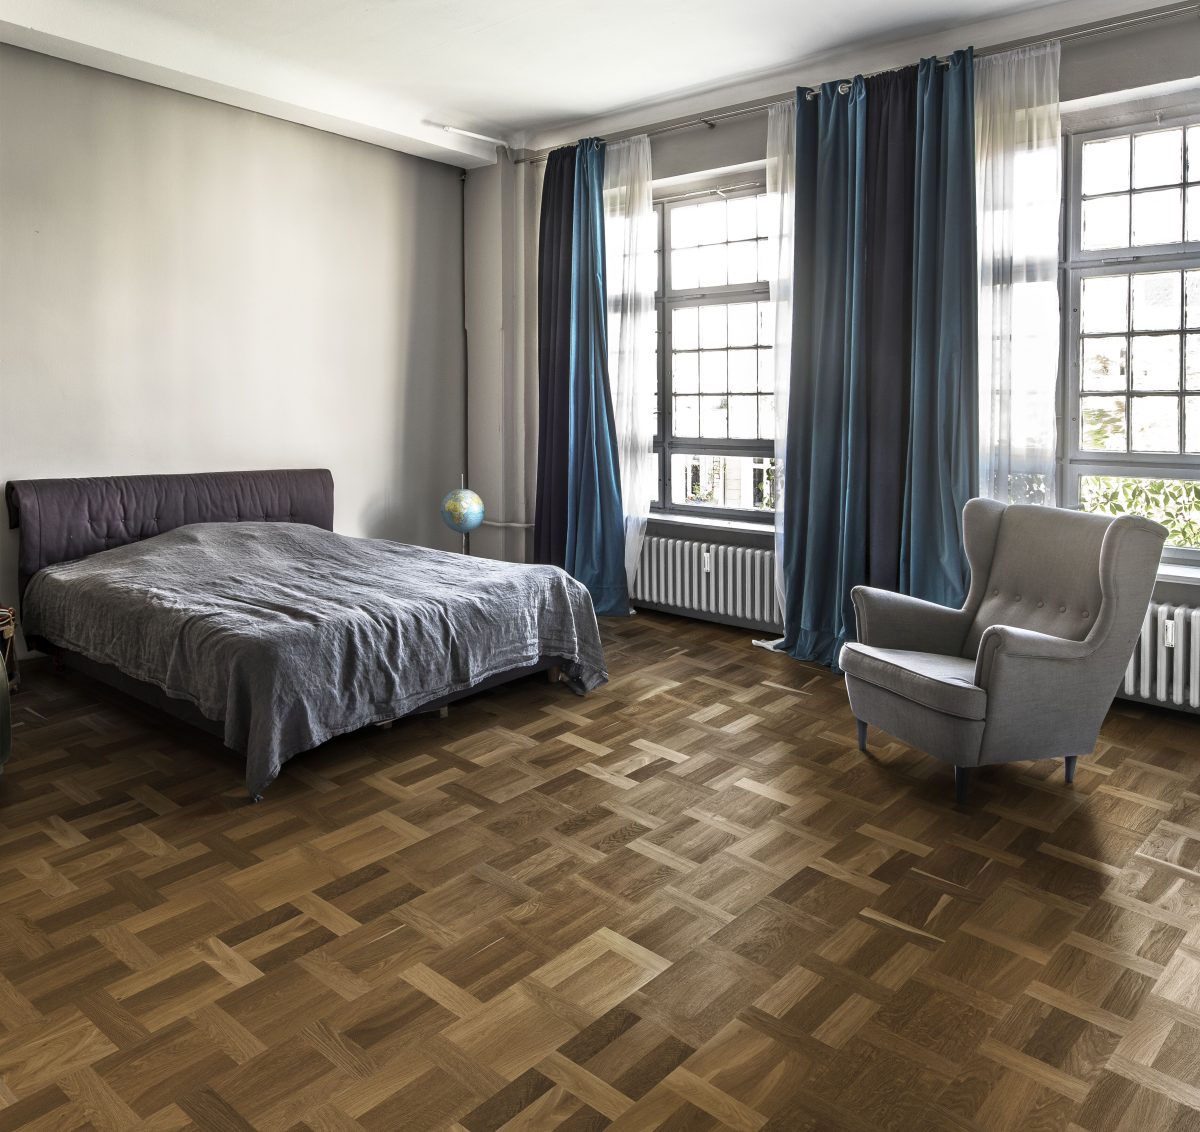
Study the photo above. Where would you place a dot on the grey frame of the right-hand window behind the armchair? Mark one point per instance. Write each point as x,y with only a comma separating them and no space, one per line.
1079,265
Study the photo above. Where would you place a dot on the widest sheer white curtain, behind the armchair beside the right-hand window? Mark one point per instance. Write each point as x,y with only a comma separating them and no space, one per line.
1018,187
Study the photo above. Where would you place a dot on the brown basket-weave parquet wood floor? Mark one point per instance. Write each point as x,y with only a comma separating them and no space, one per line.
685,903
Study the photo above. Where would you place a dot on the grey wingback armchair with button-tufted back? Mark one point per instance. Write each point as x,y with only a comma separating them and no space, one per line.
1029,667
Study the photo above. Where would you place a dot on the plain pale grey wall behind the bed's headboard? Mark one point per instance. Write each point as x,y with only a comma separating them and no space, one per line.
185,286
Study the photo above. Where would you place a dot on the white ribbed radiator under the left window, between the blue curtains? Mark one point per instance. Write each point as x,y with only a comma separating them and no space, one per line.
735,585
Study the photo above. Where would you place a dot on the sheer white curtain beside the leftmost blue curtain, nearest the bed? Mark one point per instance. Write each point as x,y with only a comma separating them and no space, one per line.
632,274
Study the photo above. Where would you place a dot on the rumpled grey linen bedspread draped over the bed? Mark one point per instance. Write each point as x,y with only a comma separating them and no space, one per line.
291,634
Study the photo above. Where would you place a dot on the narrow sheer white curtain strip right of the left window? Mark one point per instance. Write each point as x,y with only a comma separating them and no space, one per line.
782,208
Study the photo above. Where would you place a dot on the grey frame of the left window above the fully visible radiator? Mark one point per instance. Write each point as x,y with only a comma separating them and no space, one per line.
668,300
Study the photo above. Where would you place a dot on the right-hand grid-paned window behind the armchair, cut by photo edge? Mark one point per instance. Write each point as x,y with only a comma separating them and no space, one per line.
1133,338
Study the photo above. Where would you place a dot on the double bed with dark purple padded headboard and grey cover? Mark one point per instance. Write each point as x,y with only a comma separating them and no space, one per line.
227,600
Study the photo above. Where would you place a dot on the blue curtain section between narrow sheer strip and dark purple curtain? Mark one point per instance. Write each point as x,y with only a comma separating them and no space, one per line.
825,460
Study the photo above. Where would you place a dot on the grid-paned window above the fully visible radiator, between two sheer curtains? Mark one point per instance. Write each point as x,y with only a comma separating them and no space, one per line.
716,374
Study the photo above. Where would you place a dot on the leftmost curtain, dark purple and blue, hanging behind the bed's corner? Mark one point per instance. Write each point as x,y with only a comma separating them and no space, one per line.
583,529
